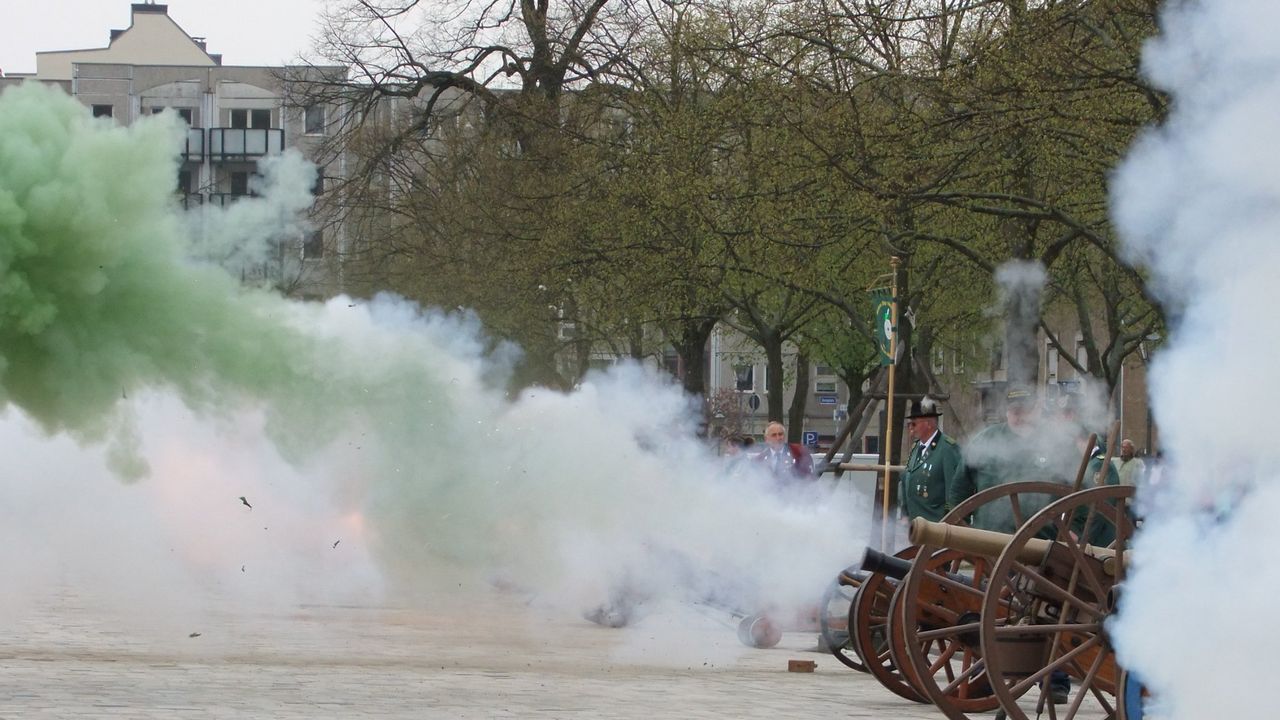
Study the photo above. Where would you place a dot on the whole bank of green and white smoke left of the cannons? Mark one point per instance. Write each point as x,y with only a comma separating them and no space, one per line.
287,453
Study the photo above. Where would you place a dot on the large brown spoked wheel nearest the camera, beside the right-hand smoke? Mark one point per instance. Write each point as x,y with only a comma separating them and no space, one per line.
1044,618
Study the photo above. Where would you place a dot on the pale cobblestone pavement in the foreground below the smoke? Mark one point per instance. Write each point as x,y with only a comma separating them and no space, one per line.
490,659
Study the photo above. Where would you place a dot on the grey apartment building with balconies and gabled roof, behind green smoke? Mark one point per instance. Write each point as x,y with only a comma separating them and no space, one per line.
236,117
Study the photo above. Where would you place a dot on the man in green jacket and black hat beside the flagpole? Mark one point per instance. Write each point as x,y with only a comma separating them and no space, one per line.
934,468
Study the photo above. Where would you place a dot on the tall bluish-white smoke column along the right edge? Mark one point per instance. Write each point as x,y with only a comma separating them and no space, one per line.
1199,202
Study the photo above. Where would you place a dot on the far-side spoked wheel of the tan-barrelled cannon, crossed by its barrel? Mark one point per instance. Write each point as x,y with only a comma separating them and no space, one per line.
943,604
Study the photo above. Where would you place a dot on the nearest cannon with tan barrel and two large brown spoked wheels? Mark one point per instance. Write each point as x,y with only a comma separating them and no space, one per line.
1049,593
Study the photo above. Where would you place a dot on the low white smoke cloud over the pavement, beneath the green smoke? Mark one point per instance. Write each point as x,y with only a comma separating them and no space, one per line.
569,500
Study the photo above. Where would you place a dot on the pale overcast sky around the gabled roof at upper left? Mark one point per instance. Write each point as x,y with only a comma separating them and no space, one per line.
246,33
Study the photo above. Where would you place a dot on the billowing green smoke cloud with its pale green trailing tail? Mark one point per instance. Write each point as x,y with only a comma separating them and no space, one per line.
100,298
